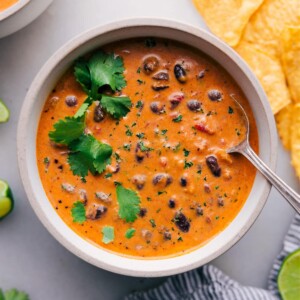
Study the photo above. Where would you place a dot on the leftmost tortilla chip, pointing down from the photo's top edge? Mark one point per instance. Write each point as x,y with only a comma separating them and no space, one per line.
227,18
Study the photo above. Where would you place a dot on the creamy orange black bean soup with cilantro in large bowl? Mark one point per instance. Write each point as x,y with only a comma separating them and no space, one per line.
131,148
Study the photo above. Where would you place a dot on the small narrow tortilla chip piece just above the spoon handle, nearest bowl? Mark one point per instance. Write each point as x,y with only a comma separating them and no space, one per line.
284,123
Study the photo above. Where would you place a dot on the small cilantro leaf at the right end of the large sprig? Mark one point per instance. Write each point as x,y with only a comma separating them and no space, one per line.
117,106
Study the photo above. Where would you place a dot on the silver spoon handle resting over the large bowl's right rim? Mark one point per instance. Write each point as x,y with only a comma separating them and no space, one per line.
288,193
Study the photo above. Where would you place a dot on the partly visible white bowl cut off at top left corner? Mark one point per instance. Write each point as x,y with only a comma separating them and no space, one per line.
21,14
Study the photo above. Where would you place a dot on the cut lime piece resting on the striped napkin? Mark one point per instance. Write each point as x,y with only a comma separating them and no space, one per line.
289,277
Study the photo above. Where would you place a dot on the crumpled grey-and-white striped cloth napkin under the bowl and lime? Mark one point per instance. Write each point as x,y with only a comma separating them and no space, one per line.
209,283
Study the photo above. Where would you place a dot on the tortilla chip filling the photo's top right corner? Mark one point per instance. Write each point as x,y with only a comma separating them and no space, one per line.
266,25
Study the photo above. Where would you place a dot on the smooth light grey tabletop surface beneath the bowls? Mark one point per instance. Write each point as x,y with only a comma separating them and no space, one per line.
30,258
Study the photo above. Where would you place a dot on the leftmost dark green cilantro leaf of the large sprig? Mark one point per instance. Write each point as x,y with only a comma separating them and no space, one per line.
66,130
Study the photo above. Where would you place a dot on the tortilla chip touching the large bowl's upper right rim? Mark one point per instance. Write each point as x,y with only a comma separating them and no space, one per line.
270,74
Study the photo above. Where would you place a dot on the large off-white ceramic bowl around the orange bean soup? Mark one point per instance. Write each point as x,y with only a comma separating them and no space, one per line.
46,80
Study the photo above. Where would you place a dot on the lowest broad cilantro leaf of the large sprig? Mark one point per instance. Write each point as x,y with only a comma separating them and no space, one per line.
89,154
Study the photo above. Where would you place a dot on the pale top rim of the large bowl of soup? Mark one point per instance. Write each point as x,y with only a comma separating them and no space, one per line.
135,268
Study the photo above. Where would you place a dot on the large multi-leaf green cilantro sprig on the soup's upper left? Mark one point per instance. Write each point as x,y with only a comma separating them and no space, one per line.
86,153
